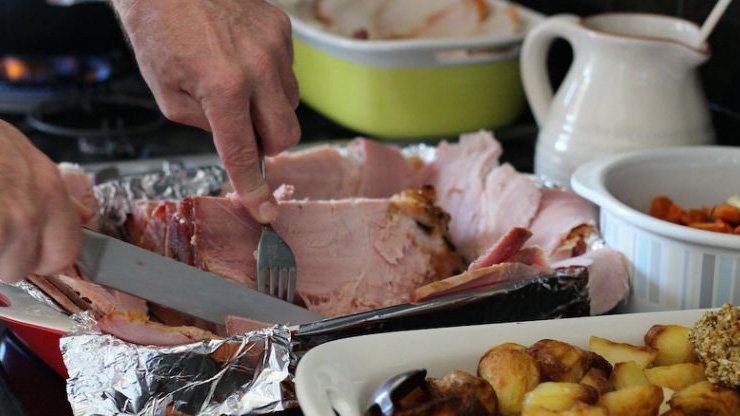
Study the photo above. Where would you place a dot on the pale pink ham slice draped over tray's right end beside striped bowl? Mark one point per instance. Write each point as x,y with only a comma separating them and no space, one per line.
608,277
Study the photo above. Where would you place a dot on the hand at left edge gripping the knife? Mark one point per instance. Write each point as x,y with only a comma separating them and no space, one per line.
39,222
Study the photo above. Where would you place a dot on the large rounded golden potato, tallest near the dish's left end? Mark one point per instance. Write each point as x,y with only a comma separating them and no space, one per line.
512,373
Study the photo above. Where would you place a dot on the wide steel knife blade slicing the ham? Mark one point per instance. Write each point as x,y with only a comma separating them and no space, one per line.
122,266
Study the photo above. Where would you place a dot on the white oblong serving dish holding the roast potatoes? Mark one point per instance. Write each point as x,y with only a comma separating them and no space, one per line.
342,375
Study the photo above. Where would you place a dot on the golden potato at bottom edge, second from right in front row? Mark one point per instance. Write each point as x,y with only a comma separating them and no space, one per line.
633,401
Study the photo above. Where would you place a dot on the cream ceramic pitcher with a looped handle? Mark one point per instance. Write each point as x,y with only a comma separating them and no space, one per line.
633,84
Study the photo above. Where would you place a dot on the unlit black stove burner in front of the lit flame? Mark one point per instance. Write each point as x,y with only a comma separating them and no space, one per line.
103,126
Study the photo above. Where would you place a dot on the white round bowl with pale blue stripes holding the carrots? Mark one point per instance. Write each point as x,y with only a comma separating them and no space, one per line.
671,266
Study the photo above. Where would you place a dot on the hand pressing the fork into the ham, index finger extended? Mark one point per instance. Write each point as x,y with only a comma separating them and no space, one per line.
223,66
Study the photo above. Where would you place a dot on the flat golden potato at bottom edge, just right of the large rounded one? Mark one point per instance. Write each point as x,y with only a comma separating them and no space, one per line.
559,396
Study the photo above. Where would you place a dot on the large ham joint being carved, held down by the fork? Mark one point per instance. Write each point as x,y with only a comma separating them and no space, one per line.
352,254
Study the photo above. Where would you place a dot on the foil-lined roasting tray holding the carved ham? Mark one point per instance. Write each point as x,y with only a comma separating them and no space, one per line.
252,373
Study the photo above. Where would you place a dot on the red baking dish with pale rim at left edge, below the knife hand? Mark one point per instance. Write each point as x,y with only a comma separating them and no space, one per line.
37,325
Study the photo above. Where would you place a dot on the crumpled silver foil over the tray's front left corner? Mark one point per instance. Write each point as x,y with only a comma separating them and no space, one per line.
249,374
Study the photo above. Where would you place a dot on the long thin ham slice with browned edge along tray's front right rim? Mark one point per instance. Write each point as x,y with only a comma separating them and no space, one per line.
475,280
